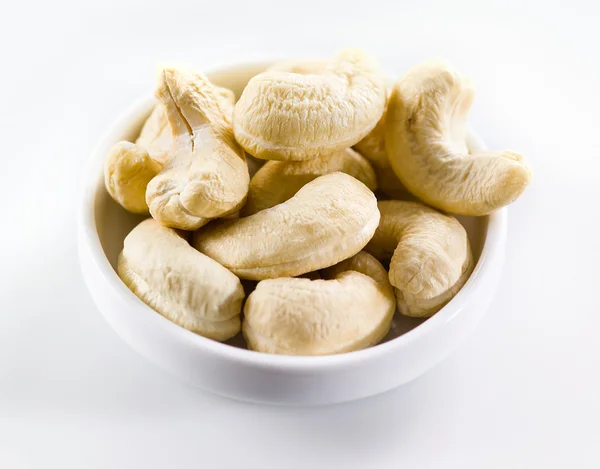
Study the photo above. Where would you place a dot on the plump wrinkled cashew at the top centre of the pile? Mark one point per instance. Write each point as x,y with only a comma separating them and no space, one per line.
290,116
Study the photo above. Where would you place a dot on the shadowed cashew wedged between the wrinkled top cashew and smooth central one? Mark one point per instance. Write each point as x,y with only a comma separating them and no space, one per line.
278,181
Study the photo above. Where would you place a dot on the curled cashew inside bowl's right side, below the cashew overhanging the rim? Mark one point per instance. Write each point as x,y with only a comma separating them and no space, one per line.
430,255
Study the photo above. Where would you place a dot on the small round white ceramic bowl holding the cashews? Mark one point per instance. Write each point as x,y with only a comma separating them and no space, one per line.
412,347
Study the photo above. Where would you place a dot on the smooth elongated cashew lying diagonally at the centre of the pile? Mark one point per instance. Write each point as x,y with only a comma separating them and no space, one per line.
328,220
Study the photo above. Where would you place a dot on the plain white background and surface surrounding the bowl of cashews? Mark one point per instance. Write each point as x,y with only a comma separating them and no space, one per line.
522,392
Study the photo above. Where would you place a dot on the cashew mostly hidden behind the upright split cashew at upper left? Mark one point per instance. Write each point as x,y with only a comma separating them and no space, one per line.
156,135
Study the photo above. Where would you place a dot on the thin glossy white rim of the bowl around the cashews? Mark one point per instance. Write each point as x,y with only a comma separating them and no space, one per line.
88,239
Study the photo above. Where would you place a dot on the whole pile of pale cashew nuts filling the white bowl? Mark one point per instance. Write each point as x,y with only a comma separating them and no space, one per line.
347,222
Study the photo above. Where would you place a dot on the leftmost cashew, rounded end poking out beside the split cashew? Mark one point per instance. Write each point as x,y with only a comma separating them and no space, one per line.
127,171
